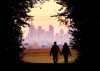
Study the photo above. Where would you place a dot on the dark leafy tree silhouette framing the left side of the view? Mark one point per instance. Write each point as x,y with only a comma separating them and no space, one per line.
13,15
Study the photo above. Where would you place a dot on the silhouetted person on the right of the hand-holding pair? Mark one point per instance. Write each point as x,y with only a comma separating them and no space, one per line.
66,52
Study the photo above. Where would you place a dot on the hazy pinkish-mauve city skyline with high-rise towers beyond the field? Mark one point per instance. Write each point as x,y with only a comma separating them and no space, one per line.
43,37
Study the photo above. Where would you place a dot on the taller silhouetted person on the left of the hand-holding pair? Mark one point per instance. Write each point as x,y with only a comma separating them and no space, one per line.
54,52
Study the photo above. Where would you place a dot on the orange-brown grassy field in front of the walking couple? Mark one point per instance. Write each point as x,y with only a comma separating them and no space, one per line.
43,56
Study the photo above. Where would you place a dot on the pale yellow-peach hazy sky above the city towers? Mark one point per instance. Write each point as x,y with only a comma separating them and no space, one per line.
42,13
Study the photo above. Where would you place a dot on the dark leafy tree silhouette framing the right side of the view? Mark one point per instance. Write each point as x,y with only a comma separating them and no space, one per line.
86,15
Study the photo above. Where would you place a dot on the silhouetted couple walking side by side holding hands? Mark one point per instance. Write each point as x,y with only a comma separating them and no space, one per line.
65,52
